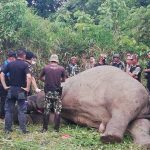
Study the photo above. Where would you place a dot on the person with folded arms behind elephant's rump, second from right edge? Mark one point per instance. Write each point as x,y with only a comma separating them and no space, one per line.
135,70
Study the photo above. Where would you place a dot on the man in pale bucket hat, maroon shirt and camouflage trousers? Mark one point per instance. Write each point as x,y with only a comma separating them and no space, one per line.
52,75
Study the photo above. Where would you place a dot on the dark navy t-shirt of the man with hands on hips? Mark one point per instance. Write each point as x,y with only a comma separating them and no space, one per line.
17,73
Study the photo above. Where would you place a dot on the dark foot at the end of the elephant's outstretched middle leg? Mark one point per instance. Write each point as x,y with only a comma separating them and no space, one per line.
110,139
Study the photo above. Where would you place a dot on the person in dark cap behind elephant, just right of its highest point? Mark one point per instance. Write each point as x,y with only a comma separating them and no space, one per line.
117,62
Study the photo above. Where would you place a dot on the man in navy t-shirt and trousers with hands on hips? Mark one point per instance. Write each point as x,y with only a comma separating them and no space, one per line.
19,84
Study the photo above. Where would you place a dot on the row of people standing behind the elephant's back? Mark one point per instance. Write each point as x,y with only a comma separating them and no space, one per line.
130,66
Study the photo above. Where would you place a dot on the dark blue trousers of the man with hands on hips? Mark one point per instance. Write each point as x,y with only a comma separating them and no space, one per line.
12,98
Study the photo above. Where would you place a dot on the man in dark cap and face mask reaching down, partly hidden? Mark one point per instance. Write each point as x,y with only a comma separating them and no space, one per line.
30,61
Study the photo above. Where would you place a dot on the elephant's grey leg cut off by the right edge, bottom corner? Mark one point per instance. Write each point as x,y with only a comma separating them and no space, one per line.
140,130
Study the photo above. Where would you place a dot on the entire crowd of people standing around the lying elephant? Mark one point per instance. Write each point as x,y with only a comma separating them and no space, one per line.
17,76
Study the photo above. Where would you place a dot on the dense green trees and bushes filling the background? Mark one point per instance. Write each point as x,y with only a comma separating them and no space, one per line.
75,26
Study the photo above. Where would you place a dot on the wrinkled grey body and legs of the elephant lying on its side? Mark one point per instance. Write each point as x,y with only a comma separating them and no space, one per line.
110,100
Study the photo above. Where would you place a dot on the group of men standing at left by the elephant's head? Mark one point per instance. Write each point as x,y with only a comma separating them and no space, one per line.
16,79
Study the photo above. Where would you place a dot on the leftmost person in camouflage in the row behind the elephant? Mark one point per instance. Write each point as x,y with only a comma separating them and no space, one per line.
72,68
